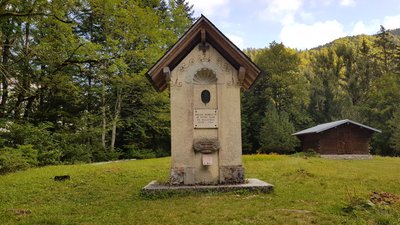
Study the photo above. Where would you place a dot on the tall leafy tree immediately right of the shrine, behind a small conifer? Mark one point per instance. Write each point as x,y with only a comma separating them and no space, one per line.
281,85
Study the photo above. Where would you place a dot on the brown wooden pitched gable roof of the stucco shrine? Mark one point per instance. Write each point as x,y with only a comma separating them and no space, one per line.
202,29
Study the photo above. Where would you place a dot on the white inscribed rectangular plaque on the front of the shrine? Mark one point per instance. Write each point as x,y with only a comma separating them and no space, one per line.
205,118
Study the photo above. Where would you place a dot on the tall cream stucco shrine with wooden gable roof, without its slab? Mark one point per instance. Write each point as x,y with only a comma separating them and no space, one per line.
205,73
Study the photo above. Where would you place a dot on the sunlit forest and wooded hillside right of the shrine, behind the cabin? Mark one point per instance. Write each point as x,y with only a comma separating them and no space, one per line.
355,78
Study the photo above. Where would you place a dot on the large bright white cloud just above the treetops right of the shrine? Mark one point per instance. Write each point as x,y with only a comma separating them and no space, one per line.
302,36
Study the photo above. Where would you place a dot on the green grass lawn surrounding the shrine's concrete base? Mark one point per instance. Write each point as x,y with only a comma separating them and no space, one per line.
307,191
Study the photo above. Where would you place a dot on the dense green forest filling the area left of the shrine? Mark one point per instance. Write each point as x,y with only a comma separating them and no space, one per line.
72,79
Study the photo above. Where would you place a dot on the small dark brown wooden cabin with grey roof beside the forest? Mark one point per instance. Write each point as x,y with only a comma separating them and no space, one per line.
343,137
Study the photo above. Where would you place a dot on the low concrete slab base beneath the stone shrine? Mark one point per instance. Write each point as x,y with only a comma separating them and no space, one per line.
251,185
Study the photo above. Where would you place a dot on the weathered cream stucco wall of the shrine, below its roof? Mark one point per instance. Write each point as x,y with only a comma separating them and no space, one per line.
194,74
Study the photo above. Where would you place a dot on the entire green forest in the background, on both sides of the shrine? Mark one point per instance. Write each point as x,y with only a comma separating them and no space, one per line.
73,87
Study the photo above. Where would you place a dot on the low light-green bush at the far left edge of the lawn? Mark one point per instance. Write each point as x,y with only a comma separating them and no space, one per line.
19,158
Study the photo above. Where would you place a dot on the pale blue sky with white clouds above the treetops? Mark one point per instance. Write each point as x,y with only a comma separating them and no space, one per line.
299,24
